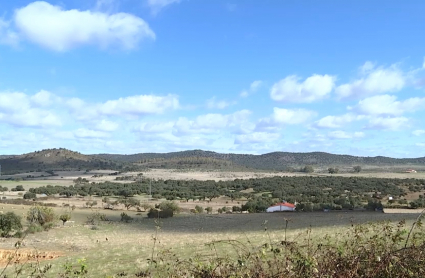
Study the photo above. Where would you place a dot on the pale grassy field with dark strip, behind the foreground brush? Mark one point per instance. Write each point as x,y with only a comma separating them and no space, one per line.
113,246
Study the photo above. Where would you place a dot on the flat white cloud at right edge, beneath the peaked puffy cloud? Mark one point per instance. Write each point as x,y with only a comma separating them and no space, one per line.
388,105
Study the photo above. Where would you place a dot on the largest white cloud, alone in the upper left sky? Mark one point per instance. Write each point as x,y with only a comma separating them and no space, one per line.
60,30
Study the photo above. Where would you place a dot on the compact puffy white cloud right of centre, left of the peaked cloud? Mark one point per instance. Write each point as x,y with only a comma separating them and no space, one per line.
315,87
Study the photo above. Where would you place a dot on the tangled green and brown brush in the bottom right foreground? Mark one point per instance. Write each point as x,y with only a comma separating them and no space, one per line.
373,250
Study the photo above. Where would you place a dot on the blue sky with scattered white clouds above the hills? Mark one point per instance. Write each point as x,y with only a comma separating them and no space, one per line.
129,76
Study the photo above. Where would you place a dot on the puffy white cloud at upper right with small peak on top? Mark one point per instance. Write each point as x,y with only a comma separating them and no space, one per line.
374,81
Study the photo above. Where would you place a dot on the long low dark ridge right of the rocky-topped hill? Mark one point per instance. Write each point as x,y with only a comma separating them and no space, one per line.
269,161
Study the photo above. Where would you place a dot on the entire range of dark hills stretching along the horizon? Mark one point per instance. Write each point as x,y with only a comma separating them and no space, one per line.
63,159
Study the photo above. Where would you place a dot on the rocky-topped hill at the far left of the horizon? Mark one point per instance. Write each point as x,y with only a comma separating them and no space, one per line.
55,159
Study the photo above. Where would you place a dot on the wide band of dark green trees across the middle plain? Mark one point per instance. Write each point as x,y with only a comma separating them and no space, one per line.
331,192
